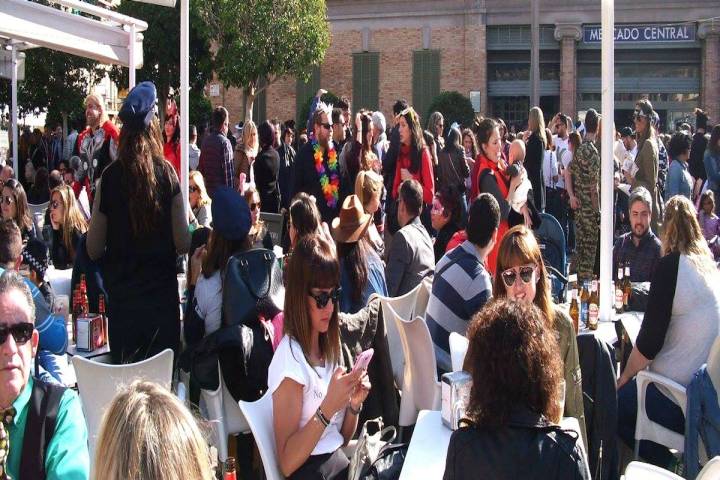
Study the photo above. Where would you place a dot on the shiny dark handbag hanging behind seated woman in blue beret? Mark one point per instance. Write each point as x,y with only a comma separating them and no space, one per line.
252,287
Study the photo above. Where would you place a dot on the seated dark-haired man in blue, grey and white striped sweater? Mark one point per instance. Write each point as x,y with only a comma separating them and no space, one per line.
462,285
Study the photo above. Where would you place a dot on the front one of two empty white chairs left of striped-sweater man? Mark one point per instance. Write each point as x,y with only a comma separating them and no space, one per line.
420,389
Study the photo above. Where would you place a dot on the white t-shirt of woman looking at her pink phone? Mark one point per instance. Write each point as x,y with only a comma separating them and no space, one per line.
289,362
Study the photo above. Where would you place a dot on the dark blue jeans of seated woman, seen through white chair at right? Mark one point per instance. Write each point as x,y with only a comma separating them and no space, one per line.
660,409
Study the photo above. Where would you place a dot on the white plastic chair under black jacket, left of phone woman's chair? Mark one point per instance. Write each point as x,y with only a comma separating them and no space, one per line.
223,414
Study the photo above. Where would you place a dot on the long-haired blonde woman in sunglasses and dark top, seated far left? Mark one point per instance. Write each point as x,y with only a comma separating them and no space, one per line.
68,225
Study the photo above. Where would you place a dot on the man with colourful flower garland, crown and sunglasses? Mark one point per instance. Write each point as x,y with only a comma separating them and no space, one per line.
317,170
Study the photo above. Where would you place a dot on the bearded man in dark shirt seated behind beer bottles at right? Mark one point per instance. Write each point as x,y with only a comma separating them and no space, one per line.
640,247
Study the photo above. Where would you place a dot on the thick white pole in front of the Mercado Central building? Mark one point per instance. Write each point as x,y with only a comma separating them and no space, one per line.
607,164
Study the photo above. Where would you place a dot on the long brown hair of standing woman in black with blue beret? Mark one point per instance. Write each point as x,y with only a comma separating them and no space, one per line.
145,174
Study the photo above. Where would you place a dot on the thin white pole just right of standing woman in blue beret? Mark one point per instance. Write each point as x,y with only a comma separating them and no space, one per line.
184,97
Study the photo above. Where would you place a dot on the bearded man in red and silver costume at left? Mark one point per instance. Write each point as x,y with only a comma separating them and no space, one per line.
96,145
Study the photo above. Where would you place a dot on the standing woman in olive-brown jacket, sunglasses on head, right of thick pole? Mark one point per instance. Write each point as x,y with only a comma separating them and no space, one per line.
648,157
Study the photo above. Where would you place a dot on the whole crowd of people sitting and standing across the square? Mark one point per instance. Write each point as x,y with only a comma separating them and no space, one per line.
370,209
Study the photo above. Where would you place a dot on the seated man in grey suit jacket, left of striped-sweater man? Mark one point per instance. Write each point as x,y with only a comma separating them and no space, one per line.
411,256
